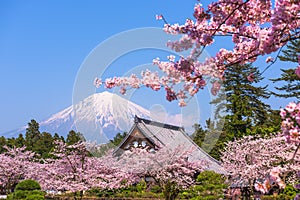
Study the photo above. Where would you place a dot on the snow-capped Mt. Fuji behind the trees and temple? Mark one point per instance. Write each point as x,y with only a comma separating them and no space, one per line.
98,117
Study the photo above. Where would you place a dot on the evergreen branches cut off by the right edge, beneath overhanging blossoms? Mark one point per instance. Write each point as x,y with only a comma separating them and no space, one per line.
291,88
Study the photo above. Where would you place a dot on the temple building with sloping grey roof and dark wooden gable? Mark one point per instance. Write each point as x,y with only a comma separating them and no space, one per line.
155,135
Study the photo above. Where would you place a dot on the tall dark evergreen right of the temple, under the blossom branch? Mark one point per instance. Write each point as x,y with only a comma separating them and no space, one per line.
241,100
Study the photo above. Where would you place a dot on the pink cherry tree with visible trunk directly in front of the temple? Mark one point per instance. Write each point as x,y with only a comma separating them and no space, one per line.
168,167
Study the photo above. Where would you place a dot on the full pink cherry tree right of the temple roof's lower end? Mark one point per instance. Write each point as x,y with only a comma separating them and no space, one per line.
255,158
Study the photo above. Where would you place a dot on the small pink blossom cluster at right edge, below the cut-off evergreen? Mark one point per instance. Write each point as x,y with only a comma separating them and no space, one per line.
290,125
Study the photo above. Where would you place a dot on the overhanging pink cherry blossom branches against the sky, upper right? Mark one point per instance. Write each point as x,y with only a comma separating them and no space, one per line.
255,26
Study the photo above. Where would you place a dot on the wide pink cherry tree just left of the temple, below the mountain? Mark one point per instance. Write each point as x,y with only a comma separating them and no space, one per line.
74,170
